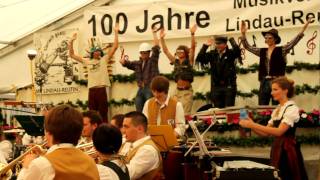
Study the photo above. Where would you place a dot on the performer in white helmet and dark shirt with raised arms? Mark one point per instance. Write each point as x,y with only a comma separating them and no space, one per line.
145,69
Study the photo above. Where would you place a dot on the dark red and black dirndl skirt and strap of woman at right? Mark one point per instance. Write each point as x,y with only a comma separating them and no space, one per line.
286,155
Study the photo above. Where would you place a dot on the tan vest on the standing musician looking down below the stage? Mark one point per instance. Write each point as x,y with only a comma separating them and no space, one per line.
168,112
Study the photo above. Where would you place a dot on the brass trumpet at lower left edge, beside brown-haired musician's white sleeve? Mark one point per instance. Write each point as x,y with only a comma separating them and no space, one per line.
6,170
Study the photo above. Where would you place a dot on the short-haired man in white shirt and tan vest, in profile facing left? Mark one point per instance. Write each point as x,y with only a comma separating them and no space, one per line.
142,155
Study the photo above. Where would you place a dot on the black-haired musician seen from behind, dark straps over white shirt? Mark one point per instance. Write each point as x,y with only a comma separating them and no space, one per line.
112,166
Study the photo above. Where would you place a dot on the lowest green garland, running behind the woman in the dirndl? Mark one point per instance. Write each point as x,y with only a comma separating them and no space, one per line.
313,139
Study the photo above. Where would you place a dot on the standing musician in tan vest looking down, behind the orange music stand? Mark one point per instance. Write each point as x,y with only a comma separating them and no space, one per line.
161,109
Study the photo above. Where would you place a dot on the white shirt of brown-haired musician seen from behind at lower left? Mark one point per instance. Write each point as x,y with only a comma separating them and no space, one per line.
40,168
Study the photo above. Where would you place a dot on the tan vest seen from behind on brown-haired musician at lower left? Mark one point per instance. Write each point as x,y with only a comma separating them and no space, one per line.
71,163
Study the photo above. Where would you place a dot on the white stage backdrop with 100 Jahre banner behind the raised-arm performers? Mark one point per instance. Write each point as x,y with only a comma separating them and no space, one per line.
219,17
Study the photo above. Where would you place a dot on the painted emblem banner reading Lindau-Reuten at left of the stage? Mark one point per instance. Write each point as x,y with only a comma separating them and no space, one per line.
55,71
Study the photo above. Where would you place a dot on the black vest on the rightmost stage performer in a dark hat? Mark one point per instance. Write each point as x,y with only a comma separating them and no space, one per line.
277,62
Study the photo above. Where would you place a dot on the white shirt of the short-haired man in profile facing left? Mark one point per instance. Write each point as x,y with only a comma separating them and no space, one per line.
145,159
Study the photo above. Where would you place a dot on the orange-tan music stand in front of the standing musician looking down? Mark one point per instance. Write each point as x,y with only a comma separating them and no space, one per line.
163,136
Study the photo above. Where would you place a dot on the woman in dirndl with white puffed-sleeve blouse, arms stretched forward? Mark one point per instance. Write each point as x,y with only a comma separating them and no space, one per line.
285,152
